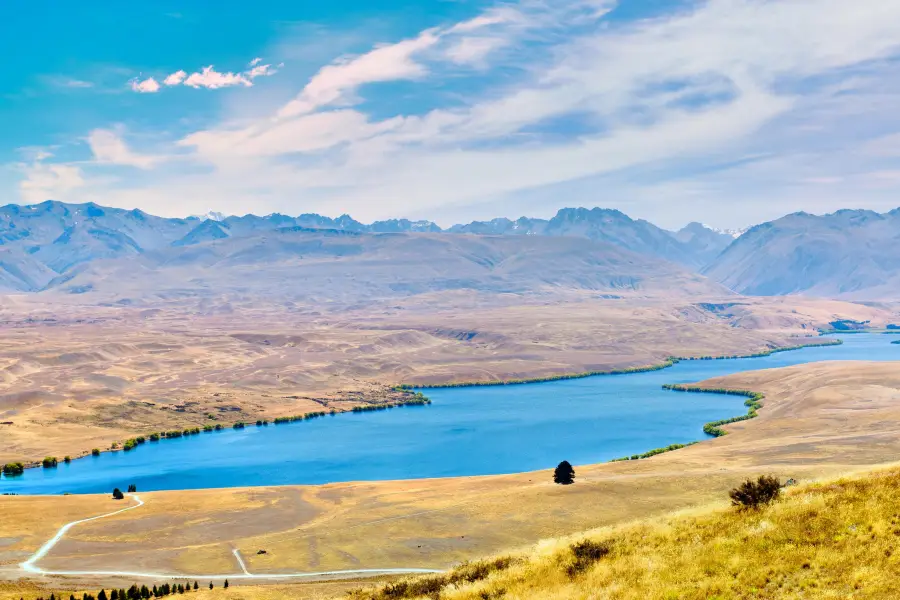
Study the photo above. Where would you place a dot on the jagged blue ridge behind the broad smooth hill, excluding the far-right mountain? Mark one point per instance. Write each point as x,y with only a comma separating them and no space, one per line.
45,241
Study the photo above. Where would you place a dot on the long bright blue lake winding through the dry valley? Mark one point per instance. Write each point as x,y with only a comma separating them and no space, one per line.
466,431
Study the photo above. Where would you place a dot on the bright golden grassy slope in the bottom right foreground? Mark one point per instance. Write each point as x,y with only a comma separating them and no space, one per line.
838,539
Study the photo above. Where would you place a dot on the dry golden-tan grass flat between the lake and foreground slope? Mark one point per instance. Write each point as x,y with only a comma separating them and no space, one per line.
819,420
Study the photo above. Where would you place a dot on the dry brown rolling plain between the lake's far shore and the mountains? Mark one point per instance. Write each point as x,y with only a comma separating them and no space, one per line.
79,376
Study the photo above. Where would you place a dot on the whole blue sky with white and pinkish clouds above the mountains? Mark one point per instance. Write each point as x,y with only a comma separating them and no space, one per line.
729,112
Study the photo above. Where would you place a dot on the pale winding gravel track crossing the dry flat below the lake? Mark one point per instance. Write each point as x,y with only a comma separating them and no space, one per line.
30,565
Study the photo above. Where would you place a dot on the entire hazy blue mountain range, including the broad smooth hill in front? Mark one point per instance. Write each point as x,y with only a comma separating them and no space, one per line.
84,247
